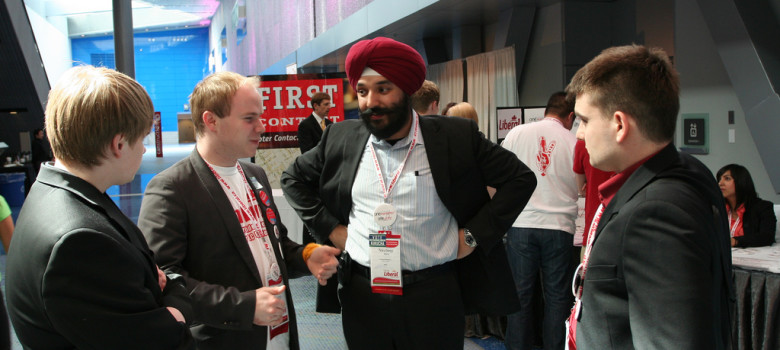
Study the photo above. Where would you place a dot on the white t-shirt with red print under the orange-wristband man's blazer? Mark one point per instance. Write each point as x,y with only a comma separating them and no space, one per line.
249,216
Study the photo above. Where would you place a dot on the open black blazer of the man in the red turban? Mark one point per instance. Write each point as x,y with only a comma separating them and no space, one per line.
318,186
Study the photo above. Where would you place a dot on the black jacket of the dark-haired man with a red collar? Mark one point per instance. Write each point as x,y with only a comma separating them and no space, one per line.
659,275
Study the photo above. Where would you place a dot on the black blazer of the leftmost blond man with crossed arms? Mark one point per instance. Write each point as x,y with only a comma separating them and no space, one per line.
80,274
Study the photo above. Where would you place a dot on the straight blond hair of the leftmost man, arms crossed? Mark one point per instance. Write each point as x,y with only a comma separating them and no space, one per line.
88,107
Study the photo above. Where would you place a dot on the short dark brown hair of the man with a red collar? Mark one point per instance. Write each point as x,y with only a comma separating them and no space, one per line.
636,80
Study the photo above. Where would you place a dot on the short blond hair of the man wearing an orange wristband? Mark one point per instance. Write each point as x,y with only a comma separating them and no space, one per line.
214,94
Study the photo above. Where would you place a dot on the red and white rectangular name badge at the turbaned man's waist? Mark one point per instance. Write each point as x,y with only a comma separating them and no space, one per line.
385,255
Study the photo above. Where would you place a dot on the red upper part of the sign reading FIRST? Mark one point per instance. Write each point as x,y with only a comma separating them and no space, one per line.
287,102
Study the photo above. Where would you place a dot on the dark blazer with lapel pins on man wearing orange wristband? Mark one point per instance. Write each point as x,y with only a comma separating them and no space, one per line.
190,224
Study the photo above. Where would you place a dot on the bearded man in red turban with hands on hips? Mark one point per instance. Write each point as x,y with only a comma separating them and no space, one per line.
404,196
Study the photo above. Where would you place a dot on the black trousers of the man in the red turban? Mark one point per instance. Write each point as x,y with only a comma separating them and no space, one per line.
429,315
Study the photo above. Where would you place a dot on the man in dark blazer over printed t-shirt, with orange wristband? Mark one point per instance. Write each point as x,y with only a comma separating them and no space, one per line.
211,218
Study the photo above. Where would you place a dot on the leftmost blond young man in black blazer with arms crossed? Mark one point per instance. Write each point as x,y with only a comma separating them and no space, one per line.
80,274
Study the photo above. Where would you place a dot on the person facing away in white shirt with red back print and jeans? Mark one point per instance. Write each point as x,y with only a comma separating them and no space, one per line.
541,238
